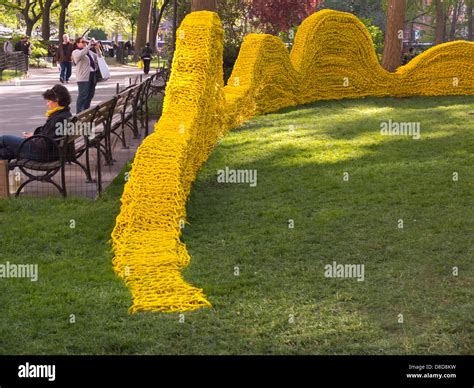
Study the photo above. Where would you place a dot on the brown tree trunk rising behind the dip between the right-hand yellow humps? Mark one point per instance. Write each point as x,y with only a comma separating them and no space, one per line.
393,46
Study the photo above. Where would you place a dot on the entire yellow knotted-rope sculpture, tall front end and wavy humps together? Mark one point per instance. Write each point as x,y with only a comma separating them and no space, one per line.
332,58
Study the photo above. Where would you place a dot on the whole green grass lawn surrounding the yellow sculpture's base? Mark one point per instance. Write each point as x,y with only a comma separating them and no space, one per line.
280,302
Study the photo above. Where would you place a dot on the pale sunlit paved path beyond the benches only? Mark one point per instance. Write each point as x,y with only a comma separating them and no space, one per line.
22,108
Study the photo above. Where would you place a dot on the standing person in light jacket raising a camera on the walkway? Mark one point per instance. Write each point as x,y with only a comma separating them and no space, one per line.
86,66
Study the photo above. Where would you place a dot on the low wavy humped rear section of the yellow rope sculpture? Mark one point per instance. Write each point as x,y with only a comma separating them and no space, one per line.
333,58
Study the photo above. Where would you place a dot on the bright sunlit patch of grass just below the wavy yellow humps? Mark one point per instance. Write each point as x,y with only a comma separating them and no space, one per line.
312,139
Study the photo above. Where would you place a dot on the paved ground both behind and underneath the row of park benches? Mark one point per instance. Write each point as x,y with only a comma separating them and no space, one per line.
22,108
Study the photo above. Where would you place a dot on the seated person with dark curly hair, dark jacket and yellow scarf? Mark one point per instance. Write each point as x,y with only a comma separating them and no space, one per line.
58,100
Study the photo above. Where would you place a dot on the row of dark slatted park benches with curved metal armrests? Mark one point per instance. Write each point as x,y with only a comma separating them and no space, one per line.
92,130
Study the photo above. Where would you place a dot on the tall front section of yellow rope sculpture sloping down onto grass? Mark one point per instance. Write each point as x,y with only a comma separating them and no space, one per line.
148,252
